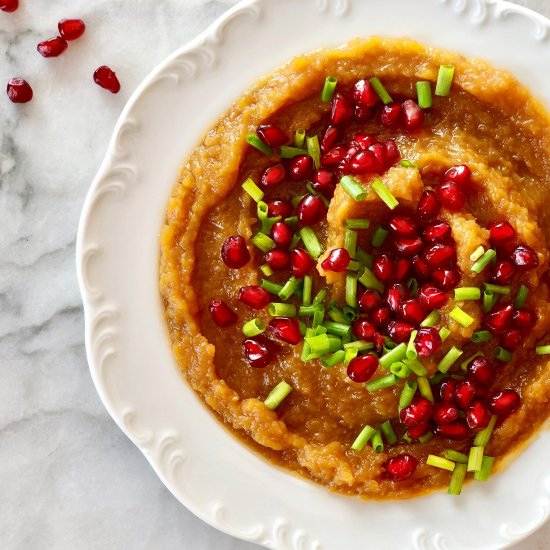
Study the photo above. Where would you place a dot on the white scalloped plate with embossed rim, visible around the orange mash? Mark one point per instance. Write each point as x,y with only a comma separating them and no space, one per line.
209,471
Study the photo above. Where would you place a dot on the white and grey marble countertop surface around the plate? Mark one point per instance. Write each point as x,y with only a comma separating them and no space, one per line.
69,478
